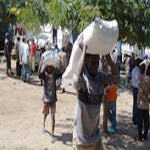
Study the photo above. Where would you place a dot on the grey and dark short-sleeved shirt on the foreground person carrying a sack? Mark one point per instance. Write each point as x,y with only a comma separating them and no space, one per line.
87,110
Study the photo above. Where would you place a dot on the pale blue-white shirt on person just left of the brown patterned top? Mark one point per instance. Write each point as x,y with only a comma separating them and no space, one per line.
135,74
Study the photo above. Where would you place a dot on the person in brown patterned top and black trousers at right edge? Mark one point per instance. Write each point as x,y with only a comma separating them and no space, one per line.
143,103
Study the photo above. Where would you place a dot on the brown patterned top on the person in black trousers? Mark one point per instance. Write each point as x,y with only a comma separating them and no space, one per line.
143,92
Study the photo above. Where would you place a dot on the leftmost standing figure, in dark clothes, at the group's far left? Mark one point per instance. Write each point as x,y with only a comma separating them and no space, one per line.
7,52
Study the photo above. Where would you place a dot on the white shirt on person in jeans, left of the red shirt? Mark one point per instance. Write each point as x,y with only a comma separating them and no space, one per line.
25,53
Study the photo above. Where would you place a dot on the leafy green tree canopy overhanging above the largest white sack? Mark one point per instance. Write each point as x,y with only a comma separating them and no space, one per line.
132,15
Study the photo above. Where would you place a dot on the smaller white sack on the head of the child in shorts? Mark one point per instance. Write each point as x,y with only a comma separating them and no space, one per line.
50,58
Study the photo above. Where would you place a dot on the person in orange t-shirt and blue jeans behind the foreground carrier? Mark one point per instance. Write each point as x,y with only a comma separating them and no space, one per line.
111,110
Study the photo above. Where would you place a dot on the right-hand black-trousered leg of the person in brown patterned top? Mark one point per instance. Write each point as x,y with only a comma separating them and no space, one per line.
146,123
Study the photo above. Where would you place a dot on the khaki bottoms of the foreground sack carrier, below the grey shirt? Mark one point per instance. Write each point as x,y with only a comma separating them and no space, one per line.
76,146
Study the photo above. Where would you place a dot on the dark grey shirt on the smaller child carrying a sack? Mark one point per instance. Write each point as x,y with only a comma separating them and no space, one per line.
49,90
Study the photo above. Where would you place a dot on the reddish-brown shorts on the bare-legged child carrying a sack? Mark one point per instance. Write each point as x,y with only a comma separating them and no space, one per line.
48,106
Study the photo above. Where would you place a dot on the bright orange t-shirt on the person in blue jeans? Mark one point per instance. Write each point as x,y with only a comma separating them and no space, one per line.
112,93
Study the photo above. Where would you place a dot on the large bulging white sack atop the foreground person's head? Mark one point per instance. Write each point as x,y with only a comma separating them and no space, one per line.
101,36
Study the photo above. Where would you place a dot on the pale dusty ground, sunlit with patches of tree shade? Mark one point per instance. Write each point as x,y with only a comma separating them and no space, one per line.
21,119
